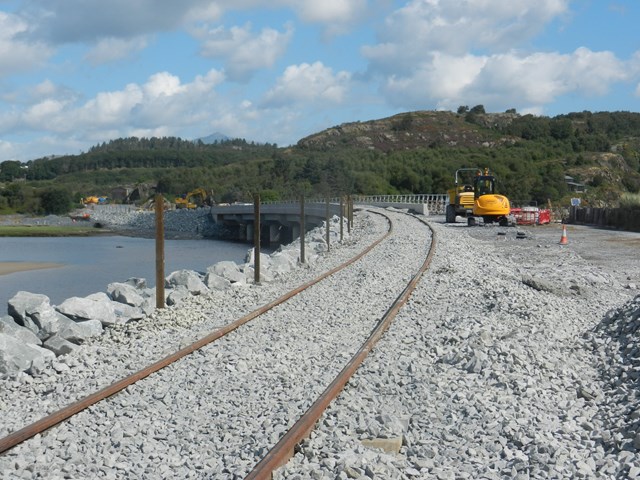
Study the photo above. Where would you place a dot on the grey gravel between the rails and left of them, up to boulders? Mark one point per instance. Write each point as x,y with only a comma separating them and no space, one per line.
218,410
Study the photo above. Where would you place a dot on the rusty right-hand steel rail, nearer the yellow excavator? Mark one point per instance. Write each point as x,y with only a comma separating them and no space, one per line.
284,449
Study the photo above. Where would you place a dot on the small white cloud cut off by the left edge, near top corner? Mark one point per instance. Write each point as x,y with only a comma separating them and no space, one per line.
17,54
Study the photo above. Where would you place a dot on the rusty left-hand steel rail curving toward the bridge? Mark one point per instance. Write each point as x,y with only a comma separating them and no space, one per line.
61,415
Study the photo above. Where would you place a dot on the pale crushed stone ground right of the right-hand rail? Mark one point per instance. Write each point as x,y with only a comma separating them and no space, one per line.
484,376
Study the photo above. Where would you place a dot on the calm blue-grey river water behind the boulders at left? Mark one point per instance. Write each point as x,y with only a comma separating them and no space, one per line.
89,264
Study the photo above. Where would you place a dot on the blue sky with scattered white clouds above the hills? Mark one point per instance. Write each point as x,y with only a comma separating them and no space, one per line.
75,73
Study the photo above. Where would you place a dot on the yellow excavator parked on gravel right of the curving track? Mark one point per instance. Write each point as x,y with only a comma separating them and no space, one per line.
476,198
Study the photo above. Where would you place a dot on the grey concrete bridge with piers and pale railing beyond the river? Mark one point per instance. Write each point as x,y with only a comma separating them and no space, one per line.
280,221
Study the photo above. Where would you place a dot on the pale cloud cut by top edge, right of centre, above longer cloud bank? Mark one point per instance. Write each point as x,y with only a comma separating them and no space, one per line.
422,27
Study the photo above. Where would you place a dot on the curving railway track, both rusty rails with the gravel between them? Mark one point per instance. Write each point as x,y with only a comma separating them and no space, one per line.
216,408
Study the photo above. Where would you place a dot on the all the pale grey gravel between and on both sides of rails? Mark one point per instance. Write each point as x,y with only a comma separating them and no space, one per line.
514,358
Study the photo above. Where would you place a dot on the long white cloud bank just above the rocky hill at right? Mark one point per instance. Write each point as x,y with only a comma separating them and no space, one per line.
506,80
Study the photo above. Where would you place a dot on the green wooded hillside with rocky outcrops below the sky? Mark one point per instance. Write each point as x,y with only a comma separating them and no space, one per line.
415,152
